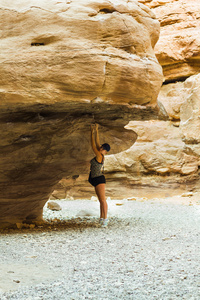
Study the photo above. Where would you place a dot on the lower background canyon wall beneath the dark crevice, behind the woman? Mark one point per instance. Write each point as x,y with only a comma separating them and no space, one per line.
164,157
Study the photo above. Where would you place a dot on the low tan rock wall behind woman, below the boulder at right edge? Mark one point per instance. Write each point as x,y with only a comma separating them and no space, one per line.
159,164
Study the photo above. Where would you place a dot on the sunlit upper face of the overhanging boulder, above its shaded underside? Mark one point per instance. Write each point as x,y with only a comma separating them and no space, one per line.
80,51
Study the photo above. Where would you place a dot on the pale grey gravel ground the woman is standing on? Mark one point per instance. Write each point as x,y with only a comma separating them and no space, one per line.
150,250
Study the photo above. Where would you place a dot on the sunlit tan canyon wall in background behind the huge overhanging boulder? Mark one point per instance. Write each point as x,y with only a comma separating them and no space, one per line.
165,158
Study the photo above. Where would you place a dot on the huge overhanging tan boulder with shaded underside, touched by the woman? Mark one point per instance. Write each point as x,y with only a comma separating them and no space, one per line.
65,65
